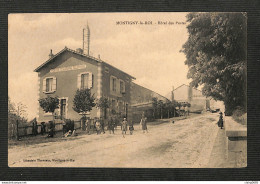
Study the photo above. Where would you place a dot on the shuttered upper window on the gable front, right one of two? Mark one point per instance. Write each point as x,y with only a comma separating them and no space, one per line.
85,80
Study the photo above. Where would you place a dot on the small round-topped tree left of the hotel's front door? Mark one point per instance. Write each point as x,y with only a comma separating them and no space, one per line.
49,104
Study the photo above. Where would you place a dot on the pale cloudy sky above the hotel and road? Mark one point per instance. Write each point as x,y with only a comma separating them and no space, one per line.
149,52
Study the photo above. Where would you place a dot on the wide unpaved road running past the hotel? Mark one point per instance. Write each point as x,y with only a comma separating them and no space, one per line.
184,144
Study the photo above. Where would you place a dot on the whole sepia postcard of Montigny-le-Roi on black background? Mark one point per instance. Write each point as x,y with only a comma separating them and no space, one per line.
127,90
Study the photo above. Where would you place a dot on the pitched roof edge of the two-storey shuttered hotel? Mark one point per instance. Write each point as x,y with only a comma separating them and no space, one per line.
75,52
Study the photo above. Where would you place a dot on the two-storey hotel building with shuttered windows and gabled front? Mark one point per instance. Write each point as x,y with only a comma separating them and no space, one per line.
62,74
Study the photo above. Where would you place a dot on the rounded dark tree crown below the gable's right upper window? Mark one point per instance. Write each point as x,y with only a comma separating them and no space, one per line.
83,101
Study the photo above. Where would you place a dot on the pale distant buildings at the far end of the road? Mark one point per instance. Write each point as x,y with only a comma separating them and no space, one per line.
187,94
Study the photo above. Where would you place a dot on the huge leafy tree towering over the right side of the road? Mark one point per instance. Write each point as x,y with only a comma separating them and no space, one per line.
216,56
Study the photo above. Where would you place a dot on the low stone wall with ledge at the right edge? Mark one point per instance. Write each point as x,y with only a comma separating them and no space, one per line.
236,137
